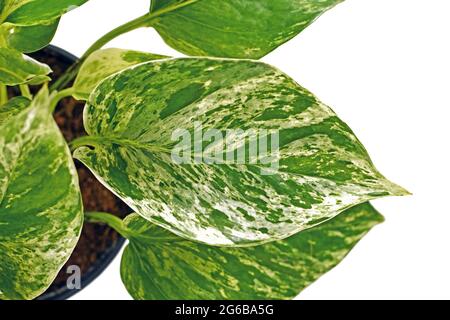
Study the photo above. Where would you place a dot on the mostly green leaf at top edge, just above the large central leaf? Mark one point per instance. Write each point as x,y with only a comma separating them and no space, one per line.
233,28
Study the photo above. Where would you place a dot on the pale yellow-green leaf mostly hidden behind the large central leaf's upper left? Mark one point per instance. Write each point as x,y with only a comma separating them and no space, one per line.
103,63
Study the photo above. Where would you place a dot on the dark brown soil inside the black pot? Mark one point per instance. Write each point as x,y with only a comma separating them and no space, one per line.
95,239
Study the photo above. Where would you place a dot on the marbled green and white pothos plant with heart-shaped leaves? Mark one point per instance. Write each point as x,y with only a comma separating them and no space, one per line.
199,230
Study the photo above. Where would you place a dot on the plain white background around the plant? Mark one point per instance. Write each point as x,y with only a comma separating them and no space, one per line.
384,67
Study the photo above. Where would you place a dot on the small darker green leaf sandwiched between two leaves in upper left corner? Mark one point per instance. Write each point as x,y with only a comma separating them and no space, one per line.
29,38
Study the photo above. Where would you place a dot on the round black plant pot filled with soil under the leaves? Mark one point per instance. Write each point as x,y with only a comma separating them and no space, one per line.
98,244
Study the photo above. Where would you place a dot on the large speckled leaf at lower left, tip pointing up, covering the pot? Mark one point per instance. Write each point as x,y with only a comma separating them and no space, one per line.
40,202
